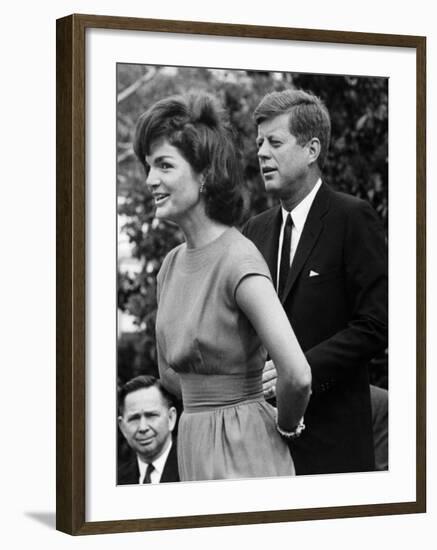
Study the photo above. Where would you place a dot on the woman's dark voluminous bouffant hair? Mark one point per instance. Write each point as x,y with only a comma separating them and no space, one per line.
197,126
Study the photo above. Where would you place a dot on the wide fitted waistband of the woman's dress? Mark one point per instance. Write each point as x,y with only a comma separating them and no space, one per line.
202,392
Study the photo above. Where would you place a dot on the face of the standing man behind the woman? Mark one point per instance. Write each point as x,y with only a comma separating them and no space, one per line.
284,163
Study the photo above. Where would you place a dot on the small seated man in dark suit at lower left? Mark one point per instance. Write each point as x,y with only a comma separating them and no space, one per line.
147,418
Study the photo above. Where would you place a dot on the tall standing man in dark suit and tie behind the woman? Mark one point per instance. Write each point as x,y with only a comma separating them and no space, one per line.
327,255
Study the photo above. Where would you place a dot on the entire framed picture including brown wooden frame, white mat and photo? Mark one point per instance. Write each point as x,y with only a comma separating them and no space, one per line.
236,199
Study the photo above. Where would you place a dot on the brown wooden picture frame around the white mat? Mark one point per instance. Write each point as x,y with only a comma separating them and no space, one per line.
71,272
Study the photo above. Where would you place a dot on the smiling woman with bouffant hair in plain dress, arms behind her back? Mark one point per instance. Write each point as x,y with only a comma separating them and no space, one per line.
218,312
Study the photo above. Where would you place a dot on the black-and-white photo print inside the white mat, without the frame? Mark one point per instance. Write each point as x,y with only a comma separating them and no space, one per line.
252,274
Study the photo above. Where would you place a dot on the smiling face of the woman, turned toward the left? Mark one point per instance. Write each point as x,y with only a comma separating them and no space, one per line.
172,182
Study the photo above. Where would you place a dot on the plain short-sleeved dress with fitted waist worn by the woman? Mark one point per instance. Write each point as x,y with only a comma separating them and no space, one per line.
208,346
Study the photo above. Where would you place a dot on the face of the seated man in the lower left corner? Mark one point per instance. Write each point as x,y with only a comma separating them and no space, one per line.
147,422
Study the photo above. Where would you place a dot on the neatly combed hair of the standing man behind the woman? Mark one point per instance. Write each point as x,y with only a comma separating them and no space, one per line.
309,117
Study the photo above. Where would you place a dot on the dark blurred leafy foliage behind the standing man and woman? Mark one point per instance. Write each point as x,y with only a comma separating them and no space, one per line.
357,163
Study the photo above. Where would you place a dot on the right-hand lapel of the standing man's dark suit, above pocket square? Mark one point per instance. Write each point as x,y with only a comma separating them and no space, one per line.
310,234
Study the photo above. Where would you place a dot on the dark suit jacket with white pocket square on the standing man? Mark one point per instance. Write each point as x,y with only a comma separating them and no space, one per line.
340,320
